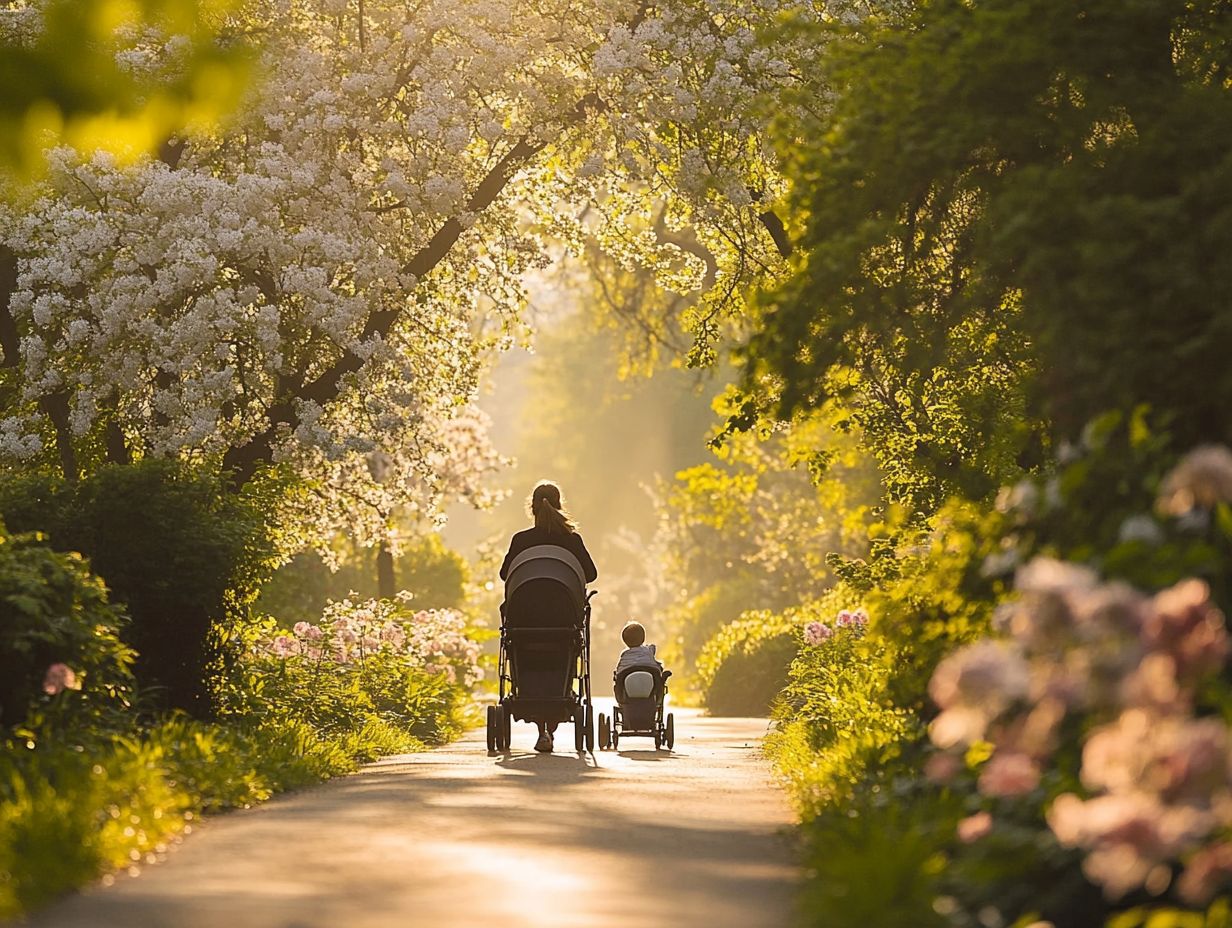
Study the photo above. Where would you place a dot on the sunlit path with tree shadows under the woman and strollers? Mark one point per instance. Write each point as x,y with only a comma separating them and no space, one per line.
460,837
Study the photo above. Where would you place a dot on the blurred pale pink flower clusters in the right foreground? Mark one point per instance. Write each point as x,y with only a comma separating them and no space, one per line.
1154,783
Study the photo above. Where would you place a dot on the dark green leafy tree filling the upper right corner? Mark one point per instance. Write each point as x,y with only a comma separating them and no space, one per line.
1012,222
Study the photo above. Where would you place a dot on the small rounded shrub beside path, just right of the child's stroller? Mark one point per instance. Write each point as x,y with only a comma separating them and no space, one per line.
745,666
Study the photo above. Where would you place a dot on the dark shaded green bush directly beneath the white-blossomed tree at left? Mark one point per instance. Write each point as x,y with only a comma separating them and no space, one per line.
178,550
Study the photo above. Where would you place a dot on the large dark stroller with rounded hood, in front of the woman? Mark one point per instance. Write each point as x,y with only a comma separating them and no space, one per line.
545,648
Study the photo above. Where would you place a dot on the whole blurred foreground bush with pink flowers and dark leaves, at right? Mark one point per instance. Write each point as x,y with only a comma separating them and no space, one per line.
1088,739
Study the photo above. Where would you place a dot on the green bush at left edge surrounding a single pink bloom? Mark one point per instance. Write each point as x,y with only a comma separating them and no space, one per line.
54,612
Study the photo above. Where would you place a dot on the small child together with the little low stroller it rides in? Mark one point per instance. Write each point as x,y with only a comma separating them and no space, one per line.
641,687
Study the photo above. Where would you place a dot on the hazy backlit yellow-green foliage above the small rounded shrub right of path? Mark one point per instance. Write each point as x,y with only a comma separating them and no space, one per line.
760,528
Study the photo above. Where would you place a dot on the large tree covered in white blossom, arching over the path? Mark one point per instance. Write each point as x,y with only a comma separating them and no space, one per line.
306,284
